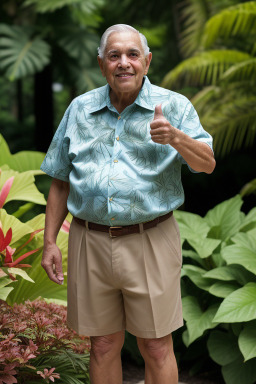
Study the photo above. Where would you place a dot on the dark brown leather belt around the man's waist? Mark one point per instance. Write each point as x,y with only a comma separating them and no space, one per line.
124,230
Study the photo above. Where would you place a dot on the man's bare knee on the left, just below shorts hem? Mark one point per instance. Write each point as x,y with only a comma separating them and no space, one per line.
106,346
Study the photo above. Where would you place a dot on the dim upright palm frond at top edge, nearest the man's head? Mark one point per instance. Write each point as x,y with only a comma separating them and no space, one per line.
194,15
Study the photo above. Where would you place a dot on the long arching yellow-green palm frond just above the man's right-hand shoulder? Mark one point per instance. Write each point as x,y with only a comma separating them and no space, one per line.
203,69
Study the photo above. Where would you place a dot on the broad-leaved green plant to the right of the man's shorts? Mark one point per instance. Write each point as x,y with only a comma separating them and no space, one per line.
219,287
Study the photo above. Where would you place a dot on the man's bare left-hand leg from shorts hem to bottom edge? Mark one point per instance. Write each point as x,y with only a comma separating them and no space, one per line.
105,359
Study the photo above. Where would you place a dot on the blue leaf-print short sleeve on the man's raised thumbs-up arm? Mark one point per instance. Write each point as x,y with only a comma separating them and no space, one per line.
190,124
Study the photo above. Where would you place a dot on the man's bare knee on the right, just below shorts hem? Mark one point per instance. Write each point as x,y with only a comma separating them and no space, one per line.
156,351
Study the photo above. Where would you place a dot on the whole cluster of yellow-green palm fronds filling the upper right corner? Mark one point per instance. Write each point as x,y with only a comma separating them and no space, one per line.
226,103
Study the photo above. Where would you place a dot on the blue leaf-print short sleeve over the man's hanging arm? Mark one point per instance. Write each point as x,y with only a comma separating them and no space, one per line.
57,162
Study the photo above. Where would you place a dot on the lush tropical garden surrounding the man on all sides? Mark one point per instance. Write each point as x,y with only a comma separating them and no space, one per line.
203,49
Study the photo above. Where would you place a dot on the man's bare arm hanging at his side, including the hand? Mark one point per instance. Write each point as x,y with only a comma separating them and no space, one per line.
56,211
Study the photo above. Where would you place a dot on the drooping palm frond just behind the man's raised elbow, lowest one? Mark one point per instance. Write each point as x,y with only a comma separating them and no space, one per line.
232,124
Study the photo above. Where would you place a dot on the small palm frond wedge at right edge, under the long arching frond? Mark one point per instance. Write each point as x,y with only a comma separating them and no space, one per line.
245,70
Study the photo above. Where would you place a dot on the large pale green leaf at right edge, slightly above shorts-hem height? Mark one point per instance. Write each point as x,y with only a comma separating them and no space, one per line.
238,306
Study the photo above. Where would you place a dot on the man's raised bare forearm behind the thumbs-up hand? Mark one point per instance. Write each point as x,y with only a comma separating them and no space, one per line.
198,155
